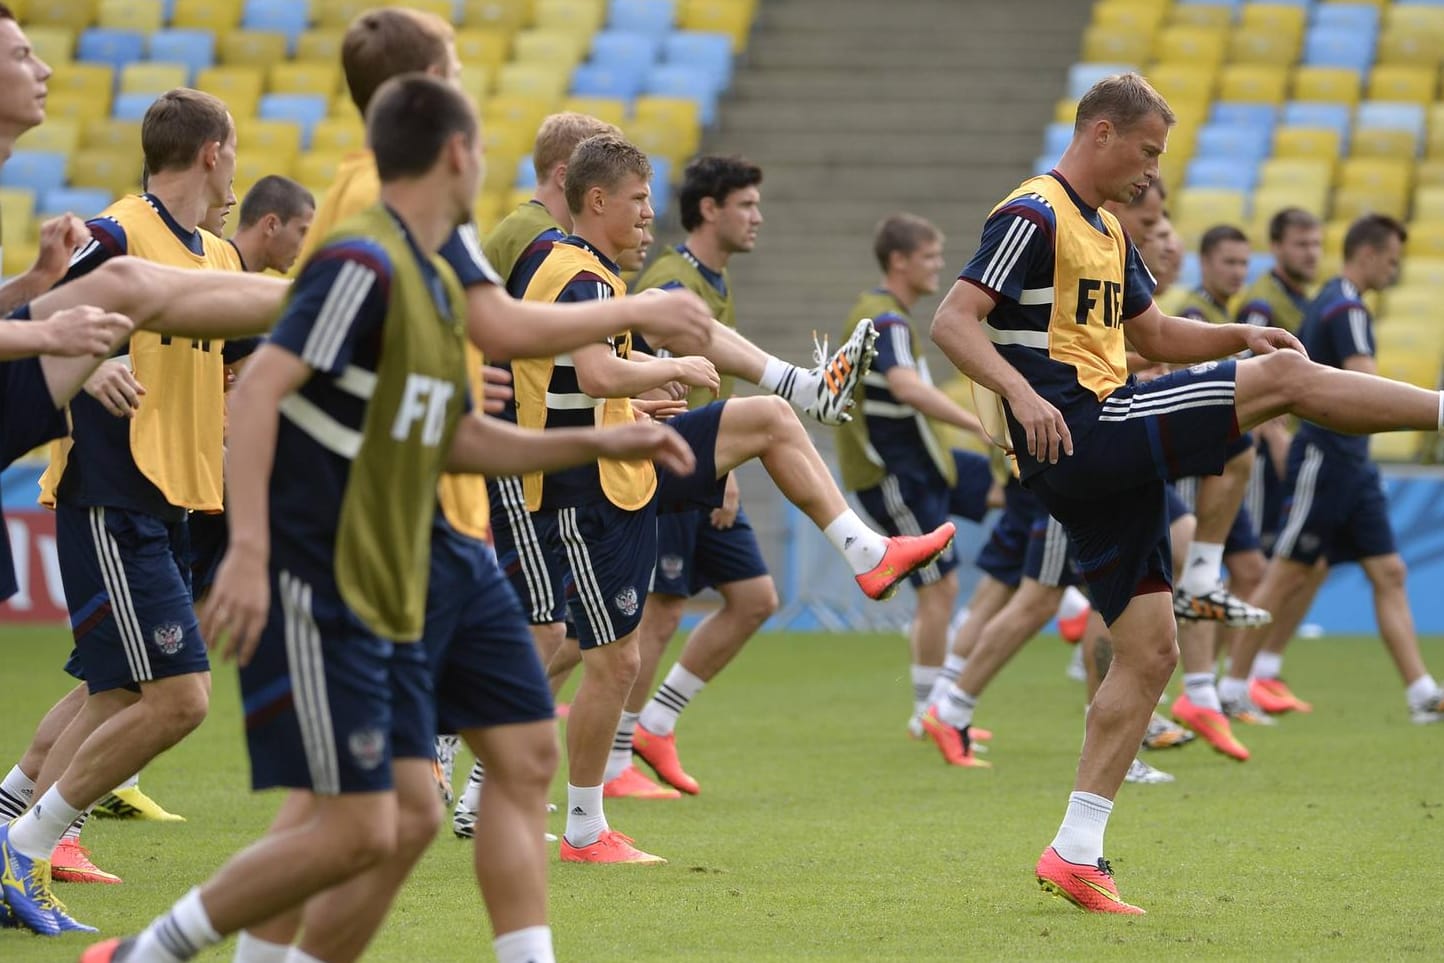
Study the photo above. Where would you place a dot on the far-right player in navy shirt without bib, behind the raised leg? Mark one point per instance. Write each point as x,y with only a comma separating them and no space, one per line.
1336,509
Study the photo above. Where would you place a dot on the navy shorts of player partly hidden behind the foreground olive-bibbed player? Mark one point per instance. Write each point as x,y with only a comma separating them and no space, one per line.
484,663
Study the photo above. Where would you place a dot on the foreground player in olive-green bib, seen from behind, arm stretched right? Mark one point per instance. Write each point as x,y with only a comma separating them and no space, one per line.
344,552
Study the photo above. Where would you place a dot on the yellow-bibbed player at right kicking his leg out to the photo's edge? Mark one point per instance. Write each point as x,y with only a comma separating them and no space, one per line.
1098,448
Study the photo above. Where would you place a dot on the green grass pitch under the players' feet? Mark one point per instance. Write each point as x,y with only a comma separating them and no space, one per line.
824,834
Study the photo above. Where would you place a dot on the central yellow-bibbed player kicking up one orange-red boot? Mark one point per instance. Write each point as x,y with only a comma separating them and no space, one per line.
606,516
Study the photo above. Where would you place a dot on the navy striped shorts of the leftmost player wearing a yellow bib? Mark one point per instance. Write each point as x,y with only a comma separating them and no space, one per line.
128,585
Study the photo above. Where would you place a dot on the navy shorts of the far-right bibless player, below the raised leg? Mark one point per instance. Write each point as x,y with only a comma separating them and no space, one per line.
1335,509
